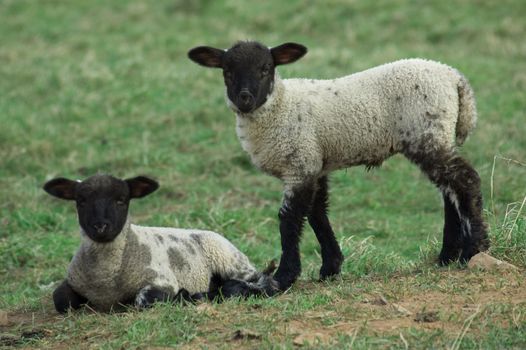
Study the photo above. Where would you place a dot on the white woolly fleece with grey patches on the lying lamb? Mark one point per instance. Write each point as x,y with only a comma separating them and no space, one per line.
167,258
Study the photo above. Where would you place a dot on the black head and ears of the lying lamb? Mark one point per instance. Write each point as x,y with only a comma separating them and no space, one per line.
102,201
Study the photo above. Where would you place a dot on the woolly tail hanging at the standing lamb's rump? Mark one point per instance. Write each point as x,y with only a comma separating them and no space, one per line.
467,111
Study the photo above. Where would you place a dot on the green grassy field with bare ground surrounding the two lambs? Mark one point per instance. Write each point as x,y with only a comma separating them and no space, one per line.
105,86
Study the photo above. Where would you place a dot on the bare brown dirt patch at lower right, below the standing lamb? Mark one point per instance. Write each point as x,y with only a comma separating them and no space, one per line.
445,309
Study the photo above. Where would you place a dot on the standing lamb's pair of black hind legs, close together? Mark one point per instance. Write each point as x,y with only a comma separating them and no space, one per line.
464,229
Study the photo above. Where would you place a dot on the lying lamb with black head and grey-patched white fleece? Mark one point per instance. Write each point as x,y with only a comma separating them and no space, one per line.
122,263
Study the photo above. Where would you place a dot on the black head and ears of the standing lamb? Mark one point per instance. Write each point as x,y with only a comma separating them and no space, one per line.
248,69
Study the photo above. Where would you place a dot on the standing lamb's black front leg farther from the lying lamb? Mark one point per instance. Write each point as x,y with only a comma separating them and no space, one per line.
331,254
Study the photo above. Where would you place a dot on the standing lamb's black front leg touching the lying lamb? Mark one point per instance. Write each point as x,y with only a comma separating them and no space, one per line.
296,205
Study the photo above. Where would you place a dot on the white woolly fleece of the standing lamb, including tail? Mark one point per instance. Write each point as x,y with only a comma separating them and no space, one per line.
309,127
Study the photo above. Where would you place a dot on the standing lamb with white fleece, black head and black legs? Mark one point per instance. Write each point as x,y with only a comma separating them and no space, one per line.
299,130
